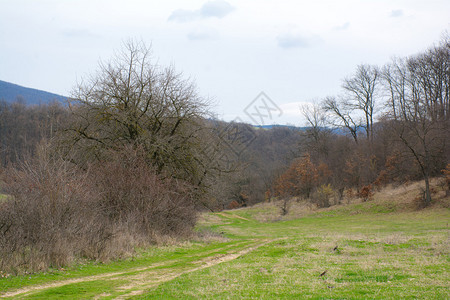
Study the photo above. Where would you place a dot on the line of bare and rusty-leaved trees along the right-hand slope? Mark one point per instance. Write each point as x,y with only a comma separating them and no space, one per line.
396,124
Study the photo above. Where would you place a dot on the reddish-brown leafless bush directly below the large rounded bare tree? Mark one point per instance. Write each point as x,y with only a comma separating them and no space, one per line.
132,193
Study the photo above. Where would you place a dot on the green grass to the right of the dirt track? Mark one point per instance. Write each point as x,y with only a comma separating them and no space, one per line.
379,256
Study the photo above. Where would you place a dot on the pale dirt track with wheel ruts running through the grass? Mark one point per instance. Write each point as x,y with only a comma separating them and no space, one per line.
147,277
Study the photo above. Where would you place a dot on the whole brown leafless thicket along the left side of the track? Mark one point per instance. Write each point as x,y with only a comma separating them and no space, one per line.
57,213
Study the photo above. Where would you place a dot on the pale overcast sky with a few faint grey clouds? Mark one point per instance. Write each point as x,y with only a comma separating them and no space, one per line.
246,57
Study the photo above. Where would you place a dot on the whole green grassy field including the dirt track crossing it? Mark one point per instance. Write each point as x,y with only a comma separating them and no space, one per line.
382,249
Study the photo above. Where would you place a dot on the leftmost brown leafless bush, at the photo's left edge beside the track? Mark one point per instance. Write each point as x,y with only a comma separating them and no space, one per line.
49,217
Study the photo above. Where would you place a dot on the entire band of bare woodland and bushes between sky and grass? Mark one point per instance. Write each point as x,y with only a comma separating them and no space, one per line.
136,155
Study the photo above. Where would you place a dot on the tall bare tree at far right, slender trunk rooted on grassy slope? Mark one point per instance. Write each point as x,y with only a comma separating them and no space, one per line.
419,93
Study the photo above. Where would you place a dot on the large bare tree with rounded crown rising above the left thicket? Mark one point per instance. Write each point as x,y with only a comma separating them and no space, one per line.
132,101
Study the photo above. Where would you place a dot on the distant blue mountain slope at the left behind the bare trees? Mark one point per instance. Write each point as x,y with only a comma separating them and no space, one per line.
11,92
